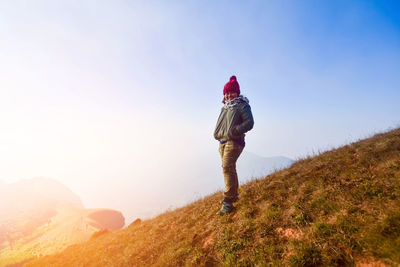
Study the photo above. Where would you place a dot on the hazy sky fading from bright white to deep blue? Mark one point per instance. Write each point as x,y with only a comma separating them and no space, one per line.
115,98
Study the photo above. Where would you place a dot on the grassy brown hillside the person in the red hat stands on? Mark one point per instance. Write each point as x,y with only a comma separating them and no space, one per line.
338,208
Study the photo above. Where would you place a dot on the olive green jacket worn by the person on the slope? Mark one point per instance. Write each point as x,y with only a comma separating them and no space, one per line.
234,122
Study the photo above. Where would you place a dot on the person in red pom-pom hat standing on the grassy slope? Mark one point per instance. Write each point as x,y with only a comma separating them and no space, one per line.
233,122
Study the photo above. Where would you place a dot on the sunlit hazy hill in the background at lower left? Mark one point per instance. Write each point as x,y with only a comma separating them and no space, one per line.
41,216
